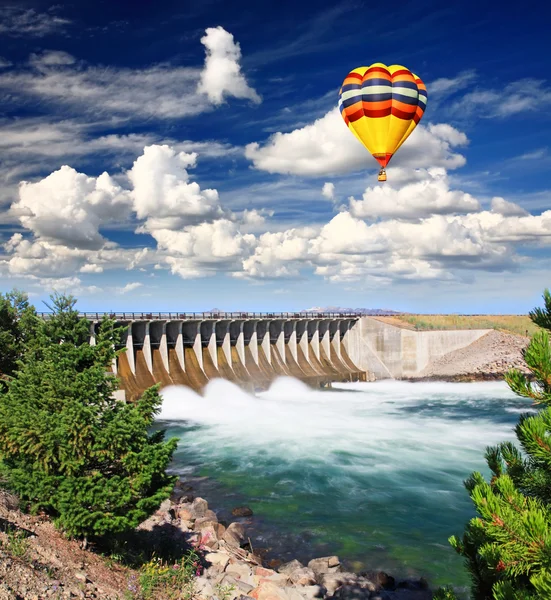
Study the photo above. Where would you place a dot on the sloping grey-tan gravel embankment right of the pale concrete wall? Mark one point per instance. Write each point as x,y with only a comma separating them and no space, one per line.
490,357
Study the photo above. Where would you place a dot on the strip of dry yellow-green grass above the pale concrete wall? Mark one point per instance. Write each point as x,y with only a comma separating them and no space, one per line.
517,324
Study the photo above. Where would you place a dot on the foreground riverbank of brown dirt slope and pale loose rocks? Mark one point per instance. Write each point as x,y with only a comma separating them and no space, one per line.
53,567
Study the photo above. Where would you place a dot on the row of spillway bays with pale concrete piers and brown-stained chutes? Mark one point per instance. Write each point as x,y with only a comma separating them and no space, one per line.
250,350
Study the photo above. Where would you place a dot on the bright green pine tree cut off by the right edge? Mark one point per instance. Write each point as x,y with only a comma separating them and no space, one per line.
507,547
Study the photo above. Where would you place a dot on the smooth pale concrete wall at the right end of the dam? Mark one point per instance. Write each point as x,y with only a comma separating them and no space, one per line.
384,351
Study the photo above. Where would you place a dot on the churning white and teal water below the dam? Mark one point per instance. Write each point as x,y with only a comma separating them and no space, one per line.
371,470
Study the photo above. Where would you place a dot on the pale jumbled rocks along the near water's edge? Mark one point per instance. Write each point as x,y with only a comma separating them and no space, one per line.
230,561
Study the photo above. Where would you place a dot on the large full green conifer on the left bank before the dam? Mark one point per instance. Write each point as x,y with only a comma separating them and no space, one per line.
67,446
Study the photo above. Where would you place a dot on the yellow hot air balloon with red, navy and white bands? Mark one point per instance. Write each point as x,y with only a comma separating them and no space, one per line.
381,106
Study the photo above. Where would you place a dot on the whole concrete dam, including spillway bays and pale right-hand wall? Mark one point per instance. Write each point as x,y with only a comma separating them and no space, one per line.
253,349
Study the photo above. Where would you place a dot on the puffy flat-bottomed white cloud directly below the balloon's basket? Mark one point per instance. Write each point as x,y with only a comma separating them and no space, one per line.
430,195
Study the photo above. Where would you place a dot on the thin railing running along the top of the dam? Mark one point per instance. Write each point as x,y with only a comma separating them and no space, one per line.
177,316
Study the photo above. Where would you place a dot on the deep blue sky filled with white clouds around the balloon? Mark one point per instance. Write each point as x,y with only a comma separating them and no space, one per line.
189,155
